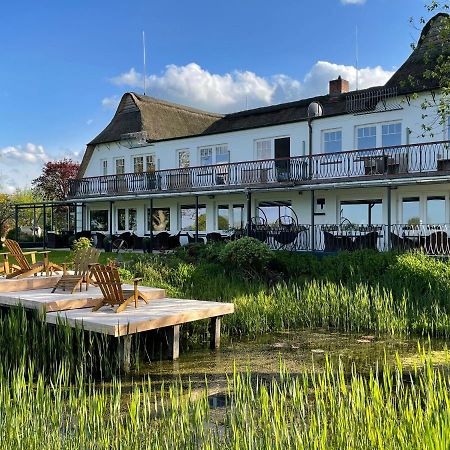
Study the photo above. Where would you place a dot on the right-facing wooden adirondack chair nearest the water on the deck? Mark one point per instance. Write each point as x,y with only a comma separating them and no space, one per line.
108,280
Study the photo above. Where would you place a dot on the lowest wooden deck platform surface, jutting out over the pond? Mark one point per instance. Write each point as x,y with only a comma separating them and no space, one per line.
156,314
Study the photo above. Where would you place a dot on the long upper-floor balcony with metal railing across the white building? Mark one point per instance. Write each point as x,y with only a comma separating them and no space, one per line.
417,160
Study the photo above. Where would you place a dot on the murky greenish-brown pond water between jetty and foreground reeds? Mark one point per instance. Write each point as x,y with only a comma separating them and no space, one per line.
297,350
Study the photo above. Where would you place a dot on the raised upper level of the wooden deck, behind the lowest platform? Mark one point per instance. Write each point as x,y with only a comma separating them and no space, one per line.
45,300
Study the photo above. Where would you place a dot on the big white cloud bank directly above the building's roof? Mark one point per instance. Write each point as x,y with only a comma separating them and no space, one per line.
195,86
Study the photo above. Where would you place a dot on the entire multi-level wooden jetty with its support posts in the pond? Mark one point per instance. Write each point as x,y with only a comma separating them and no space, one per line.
75,310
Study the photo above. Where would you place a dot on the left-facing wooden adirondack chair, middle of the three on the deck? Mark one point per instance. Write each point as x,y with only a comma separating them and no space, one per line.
83,259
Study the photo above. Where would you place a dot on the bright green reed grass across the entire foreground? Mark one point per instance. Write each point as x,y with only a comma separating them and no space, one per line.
329,409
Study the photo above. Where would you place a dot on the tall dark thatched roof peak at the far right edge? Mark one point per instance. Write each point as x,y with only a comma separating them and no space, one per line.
433,44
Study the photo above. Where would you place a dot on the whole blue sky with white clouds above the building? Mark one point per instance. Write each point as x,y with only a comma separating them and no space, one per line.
65,64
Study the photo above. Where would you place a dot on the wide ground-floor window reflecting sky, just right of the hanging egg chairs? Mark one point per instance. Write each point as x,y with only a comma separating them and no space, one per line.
361,212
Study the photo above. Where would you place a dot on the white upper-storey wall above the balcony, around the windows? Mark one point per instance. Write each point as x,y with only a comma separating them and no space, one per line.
242,143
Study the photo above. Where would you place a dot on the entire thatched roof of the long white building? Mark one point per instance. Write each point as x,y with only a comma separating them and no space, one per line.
162,120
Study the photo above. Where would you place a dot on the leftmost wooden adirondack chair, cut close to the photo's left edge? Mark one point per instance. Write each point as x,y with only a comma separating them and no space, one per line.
26,268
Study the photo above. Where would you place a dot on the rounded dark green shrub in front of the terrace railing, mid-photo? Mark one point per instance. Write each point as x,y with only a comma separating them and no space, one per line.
247,255
